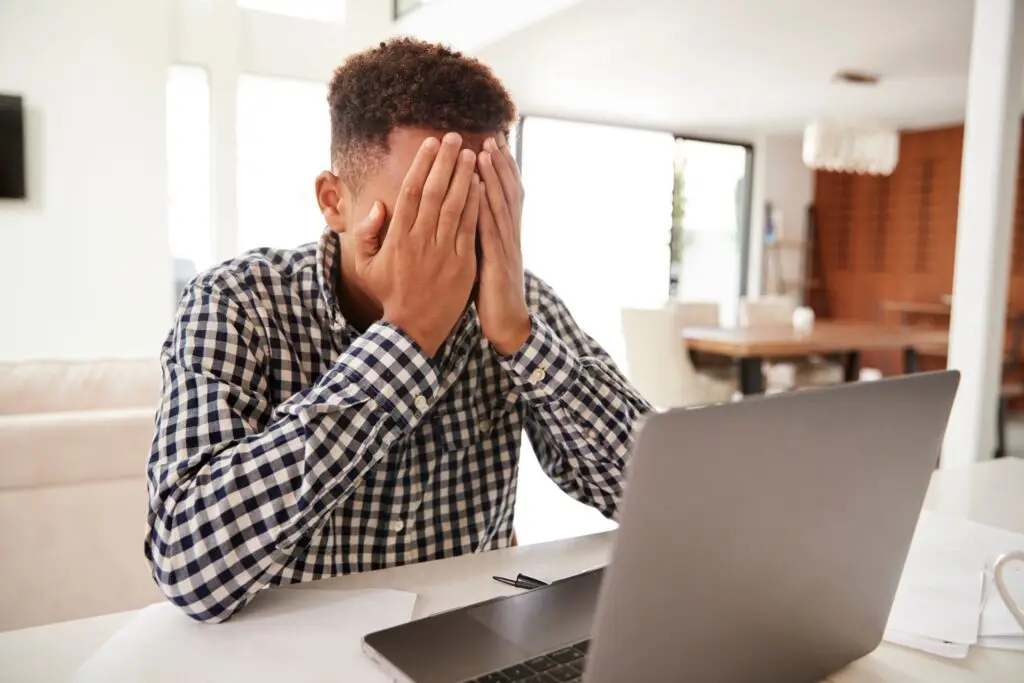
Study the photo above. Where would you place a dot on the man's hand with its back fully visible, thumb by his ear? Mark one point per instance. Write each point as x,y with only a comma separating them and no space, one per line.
423,272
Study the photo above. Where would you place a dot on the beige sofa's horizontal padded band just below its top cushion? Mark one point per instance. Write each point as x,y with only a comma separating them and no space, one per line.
61,449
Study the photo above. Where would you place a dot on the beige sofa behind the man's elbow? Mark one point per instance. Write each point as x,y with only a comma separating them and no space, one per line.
74,442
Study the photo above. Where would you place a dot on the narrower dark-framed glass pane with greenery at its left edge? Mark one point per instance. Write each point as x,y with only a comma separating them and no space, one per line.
712,214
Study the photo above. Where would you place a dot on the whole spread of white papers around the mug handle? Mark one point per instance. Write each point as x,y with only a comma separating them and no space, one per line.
947,601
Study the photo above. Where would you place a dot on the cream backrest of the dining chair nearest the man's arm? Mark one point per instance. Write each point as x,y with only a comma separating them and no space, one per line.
656,356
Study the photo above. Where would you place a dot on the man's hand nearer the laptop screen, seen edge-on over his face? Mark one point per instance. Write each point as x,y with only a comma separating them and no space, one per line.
501,301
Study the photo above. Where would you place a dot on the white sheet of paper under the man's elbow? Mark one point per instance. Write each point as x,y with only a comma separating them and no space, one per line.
283,635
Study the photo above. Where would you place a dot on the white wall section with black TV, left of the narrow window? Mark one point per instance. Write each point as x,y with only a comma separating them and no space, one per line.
87,270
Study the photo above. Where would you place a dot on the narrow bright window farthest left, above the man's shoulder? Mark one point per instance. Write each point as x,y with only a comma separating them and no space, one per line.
189,172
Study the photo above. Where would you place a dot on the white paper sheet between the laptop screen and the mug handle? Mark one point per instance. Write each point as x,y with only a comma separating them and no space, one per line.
940,597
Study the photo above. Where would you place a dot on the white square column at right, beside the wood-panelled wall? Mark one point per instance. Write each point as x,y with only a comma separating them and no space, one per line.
989,178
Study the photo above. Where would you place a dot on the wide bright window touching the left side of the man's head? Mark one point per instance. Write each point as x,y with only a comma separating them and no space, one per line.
284,141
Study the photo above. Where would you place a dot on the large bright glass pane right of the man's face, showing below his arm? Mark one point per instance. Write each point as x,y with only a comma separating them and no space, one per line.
596,228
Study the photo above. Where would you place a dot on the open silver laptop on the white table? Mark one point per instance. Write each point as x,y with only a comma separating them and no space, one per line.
759,541
